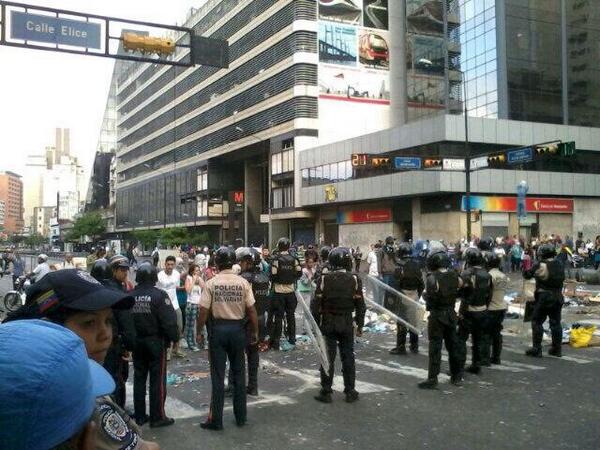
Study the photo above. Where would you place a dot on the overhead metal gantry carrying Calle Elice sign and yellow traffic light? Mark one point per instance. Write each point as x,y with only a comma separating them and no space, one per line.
50,29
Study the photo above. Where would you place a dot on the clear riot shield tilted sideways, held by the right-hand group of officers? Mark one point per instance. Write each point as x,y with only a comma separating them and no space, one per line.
398,306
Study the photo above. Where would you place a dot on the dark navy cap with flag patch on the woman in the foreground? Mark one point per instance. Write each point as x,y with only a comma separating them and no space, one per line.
75,289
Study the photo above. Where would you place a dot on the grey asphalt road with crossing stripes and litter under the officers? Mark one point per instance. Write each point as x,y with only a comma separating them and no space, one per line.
546,403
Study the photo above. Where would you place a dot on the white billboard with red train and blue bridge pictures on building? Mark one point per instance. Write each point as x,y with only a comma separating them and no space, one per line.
354,59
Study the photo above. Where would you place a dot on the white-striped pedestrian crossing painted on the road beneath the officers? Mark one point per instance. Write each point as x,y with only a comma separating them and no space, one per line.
299,381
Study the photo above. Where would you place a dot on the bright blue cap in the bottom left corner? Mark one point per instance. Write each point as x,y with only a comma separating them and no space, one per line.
48,385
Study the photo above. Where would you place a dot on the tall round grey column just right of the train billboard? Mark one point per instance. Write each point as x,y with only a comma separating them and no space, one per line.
397,20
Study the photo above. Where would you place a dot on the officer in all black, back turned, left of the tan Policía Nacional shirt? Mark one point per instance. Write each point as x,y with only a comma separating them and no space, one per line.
156,327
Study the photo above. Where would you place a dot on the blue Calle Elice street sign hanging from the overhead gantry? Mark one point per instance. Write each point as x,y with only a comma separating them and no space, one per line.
54,30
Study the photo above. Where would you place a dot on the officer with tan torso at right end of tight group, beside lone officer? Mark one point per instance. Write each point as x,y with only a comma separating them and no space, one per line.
496,309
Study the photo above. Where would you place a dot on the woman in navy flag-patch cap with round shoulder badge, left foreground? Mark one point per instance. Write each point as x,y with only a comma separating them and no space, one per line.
77,301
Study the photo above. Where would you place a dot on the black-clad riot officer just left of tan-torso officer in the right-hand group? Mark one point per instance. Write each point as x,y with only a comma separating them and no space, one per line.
476,295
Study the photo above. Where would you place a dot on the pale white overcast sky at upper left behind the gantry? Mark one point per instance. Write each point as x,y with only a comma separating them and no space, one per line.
41,90
